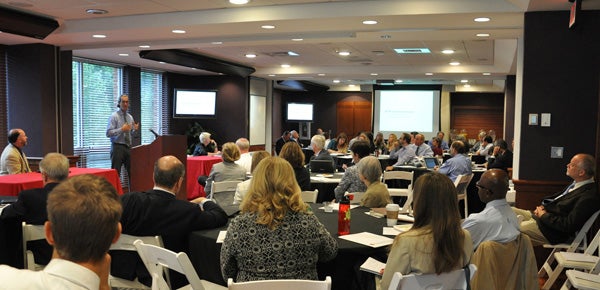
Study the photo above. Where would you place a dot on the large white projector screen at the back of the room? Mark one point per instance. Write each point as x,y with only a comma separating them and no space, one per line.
405,111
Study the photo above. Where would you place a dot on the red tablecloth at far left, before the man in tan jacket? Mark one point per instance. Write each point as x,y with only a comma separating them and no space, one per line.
15,183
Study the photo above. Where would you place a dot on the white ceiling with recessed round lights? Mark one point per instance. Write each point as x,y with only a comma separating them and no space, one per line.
324,26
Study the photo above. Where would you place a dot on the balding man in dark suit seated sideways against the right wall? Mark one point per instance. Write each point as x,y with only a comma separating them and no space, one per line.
563,213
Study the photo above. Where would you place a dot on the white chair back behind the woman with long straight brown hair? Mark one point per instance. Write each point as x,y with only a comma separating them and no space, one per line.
452,280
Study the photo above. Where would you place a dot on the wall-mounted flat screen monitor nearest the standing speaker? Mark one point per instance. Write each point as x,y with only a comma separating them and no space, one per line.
189,103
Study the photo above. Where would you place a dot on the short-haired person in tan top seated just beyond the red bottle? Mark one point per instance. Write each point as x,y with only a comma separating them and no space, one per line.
369,171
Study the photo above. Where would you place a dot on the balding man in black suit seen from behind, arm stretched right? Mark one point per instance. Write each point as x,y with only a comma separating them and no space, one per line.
158,212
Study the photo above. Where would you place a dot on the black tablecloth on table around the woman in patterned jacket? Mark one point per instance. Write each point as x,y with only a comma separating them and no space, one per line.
344,269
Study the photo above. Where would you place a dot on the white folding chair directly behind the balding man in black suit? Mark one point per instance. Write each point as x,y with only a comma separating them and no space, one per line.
125,243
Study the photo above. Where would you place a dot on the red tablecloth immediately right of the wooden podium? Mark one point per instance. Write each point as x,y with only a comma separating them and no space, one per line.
196,166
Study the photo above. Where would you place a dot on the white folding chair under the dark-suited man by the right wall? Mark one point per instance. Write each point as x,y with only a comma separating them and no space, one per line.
579,243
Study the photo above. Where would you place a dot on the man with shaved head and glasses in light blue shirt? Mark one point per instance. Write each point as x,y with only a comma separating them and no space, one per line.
497,222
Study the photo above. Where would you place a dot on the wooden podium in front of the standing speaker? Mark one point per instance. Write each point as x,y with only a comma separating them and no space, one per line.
144,156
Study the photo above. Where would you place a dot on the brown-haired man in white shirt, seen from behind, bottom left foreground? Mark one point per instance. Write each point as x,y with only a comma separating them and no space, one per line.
83,221
